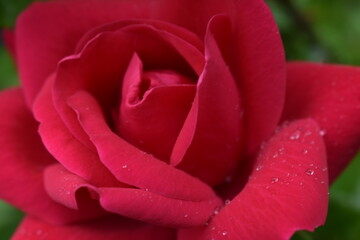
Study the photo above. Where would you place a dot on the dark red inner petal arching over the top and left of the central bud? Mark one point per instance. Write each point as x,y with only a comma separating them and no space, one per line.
104,61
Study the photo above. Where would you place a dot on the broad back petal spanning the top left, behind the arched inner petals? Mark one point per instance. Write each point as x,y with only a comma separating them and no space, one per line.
46,31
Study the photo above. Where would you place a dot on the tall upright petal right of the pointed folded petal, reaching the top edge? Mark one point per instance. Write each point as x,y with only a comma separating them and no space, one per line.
252,48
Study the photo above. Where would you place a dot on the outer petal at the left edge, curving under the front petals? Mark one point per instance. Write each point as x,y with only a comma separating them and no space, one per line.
23,159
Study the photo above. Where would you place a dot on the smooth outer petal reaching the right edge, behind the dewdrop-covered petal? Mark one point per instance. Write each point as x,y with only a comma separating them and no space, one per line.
331,95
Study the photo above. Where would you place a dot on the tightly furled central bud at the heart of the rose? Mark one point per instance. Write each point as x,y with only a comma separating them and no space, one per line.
145,119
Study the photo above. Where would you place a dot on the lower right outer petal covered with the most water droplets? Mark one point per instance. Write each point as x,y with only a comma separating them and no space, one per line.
287,191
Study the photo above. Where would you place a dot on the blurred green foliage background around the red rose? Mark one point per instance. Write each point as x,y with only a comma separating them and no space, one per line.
312,30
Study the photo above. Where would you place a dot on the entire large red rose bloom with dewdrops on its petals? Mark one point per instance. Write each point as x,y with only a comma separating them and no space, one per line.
164,113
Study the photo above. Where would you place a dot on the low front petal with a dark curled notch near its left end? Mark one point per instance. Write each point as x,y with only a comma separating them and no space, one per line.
74,192
